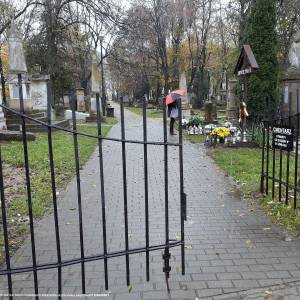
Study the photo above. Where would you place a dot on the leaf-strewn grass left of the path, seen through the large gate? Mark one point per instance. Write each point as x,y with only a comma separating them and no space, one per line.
38,155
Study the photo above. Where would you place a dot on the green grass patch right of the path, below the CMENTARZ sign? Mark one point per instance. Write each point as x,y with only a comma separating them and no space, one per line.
244,165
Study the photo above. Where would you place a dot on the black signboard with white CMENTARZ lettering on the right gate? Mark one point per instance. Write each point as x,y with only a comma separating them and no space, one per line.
283,138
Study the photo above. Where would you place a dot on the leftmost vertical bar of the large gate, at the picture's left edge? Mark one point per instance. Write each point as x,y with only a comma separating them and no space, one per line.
5,229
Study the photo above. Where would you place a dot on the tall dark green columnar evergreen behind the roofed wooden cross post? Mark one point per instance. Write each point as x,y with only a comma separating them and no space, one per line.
261,35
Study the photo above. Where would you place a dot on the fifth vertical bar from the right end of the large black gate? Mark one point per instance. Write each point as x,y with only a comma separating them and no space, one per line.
100,148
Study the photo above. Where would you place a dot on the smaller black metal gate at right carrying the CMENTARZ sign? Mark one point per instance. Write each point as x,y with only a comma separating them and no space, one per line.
280,153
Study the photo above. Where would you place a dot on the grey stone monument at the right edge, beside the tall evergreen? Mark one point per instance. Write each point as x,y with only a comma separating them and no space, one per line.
291,82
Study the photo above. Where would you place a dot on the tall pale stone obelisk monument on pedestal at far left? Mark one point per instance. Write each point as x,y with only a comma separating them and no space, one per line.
17,65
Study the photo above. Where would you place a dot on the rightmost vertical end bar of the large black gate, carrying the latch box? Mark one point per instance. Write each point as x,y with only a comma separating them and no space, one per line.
182,195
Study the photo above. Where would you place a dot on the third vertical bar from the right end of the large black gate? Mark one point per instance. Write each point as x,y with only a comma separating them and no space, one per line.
146,187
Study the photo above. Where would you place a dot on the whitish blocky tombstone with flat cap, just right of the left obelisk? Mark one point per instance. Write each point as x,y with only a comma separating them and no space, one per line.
38,90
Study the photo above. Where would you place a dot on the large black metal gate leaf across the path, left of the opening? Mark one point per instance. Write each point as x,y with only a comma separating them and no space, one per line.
106,255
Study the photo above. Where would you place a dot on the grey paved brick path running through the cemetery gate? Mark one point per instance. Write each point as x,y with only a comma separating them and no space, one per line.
231,246
